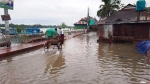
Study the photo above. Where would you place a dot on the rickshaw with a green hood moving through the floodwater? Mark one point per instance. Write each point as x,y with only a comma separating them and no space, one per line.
53,39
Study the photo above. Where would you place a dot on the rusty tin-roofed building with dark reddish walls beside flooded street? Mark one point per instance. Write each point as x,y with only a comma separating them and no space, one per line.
125,26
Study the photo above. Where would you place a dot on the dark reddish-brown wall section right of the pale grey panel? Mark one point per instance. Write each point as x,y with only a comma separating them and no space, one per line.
137,31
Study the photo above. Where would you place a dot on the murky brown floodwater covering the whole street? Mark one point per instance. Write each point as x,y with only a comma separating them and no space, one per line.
81,61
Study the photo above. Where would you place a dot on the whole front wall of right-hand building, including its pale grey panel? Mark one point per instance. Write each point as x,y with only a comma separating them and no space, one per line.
126,32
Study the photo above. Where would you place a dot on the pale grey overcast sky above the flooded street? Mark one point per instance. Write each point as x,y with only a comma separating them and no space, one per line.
54,12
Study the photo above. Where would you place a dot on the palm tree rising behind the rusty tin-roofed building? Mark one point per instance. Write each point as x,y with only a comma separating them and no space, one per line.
109,8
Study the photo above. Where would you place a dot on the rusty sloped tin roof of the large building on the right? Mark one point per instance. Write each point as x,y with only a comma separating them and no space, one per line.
125,15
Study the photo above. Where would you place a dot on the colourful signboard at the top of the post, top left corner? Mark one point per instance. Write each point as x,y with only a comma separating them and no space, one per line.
7,4
